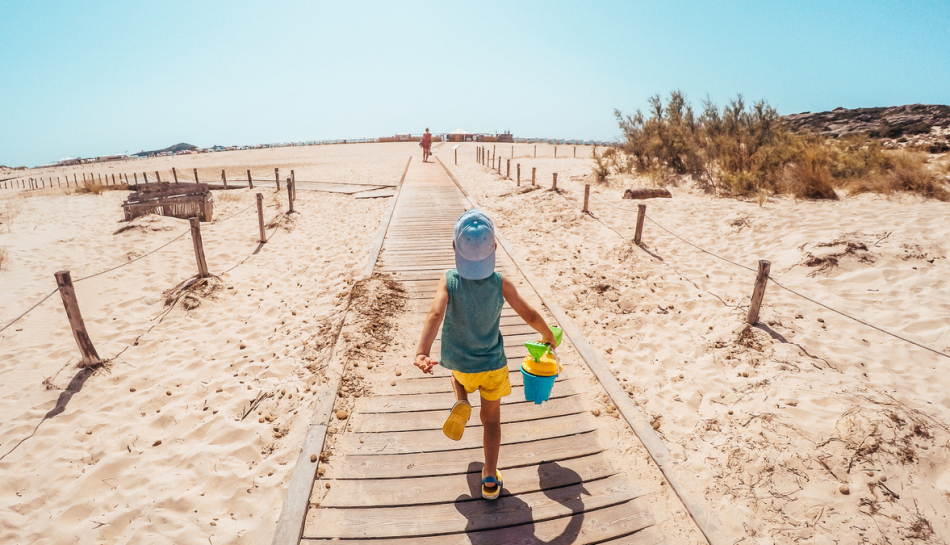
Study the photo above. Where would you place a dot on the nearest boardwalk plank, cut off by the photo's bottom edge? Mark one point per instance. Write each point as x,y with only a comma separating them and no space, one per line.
623,524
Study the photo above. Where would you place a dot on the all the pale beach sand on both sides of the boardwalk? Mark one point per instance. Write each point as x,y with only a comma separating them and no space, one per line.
766,424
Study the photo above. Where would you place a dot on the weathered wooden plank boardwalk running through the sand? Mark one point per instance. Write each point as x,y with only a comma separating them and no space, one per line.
395,478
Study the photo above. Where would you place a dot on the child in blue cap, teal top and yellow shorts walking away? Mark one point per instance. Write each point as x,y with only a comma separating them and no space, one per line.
469,299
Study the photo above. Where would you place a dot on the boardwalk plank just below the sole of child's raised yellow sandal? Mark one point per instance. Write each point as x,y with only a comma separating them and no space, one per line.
435,440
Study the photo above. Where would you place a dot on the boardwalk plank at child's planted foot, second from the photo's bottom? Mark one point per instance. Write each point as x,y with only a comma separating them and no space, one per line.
473,515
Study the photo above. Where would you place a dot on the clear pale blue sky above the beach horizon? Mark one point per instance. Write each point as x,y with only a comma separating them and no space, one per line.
99,77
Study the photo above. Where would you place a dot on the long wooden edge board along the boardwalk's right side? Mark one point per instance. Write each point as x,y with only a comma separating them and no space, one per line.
706,520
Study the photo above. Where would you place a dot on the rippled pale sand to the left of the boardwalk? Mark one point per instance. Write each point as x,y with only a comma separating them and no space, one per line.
156,447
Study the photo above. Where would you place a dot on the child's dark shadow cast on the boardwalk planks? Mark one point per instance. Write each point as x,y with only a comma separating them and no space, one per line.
509,519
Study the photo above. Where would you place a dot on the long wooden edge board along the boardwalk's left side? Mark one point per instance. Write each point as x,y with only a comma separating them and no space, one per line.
293,513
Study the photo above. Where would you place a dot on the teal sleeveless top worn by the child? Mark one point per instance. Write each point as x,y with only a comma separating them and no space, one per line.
471,338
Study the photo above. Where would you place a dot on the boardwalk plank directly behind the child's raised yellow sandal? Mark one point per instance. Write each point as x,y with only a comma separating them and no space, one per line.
433,420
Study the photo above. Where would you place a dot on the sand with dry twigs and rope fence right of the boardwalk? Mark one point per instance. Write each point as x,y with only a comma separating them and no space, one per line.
768,423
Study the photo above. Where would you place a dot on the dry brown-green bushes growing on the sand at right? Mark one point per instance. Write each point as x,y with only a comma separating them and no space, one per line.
743,150
